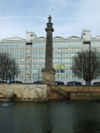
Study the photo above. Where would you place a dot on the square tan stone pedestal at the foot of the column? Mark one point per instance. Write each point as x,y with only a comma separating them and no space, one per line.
48,76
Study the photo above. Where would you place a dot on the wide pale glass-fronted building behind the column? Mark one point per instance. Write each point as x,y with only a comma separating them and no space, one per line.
29,54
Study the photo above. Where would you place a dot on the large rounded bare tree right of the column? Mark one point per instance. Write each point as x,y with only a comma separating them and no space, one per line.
86,65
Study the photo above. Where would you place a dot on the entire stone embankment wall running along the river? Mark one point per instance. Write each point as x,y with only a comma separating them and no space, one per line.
31,92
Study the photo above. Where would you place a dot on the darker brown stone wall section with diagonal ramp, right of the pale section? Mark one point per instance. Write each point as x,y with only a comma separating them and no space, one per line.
75,92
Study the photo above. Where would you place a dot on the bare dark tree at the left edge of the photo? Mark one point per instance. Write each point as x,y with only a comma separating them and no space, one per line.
8,67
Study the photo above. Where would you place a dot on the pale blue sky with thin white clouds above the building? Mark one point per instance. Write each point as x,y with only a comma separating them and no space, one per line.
70,17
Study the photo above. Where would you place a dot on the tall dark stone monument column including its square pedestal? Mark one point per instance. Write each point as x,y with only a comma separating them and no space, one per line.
48,72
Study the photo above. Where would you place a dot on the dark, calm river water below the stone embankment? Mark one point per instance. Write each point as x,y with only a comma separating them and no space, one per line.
53,117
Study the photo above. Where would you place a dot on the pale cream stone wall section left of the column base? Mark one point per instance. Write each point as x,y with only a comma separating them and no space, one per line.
24,91
